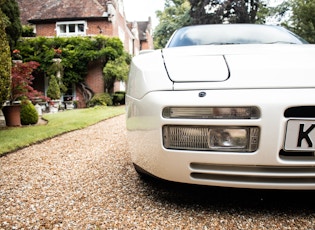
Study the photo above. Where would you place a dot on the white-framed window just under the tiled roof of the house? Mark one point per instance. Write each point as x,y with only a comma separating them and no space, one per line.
74,28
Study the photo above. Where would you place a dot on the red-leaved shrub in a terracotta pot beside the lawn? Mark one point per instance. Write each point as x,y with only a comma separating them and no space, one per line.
21,88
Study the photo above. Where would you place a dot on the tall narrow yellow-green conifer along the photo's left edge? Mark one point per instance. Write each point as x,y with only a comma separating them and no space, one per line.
5,60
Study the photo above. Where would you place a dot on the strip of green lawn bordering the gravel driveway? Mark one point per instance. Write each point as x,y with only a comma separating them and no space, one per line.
15,138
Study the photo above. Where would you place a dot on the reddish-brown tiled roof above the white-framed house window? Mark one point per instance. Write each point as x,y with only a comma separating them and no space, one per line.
54,9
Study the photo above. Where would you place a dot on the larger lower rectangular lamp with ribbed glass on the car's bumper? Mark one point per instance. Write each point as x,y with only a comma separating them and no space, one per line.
215,138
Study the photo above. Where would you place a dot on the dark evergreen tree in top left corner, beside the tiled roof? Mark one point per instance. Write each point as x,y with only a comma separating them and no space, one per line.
14,28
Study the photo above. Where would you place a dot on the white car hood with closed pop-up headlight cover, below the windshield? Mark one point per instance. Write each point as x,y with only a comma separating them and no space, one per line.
241,66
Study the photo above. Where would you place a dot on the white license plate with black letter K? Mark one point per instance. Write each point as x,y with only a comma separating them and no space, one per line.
300,135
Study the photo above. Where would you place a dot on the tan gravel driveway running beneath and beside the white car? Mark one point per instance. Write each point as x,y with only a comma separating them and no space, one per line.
85,180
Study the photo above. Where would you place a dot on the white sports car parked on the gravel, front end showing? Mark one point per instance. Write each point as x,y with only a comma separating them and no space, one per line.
225,105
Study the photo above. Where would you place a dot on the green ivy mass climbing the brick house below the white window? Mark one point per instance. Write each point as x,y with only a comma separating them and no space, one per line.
76,53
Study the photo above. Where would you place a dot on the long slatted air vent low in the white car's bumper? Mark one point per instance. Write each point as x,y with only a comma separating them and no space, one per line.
253,174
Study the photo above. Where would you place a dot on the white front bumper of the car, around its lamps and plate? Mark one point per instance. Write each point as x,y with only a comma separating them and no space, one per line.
267,168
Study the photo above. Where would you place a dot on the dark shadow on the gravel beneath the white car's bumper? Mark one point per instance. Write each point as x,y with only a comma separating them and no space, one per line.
226,199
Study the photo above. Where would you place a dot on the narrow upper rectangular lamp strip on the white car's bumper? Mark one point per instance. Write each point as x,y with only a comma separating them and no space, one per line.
250,112
